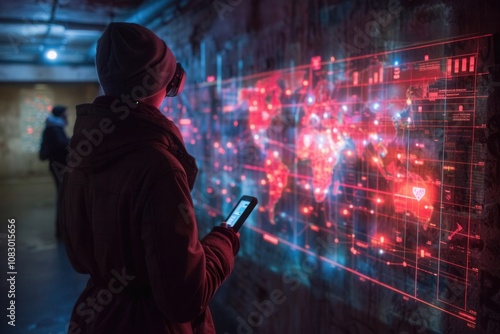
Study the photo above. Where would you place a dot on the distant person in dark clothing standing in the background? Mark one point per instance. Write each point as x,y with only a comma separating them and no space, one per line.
54,148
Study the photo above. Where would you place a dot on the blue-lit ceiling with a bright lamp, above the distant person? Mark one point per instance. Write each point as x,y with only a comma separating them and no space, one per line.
29,28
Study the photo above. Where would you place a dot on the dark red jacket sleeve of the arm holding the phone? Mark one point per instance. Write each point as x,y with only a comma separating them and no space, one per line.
184,272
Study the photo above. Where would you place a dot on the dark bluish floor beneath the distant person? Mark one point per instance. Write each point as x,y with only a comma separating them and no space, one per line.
46,285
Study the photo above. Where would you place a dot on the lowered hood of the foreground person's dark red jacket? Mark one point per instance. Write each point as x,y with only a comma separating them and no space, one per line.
110,128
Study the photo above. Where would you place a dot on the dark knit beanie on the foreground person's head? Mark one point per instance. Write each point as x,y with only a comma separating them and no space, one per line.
131,59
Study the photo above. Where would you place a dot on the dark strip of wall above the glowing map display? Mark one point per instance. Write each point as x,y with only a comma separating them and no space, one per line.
250,36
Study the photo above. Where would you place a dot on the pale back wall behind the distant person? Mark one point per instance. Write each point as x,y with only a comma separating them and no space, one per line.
23,109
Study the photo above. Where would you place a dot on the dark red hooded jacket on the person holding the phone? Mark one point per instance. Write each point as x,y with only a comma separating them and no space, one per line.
127,220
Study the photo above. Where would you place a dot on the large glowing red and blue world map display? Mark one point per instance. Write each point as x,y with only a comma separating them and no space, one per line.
371,164
